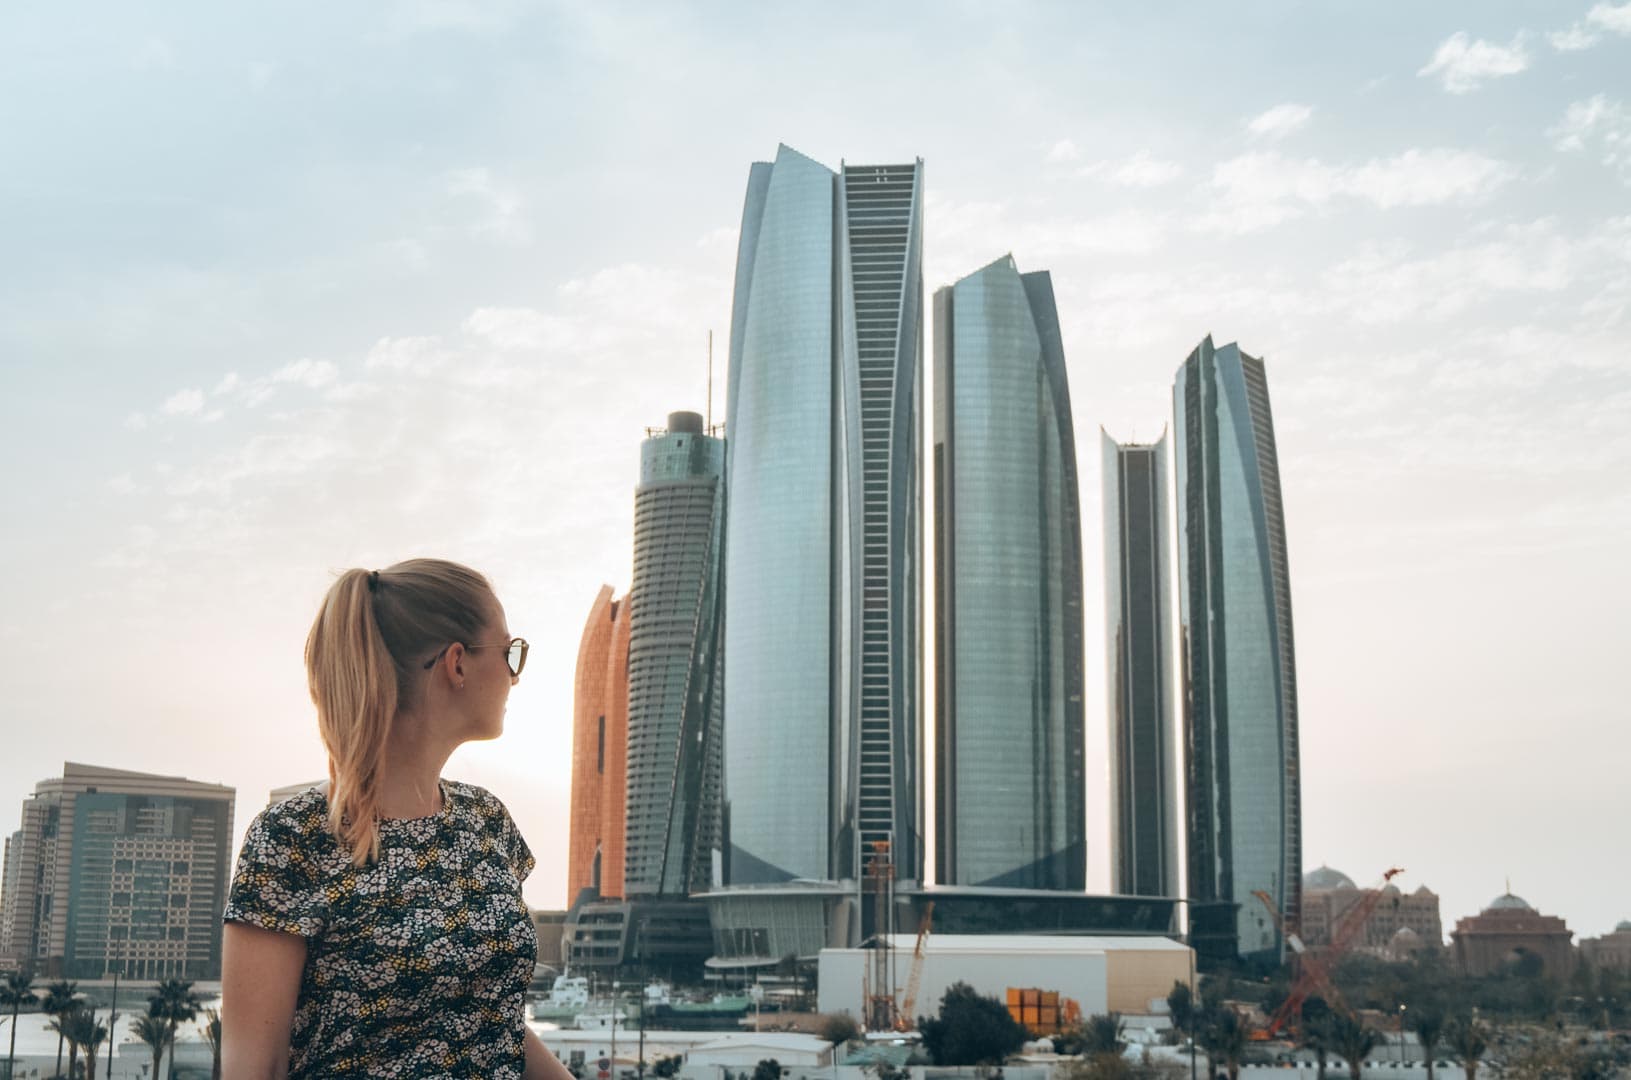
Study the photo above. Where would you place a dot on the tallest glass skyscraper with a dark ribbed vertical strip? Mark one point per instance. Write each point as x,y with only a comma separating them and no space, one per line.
823,551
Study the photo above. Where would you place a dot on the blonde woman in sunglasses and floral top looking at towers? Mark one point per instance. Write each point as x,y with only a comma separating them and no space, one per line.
376,924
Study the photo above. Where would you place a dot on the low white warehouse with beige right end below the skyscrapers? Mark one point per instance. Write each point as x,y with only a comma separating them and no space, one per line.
1102,975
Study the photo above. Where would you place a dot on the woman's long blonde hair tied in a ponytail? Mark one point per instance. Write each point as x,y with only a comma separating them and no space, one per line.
366,657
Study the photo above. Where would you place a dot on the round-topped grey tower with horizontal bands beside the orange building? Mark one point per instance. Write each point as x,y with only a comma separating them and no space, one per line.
674,673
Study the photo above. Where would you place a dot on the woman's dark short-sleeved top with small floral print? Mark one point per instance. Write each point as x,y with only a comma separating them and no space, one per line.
417,965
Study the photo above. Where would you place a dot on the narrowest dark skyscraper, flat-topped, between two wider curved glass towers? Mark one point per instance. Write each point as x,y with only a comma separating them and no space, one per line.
1139,665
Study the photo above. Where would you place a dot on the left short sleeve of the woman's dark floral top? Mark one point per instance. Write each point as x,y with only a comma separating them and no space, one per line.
273,883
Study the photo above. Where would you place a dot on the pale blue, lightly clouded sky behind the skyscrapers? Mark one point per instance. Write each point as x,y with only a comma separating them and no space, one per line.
294,290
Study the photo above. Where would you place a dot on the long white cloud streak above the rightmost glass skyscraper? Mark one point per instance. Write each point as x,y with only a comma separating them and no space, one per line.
1265,188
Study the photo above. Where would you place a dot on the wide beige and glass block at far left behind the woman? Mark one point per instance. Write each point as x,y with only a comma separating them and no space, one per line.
118,870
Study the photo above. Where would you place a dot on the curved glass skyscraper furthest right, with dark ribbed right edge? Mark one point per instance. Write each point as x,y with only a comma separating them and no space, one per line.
1240,673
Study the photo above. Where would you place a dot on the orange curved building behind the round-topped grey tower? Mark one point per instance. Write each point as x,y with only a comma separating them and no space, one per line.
594,859
